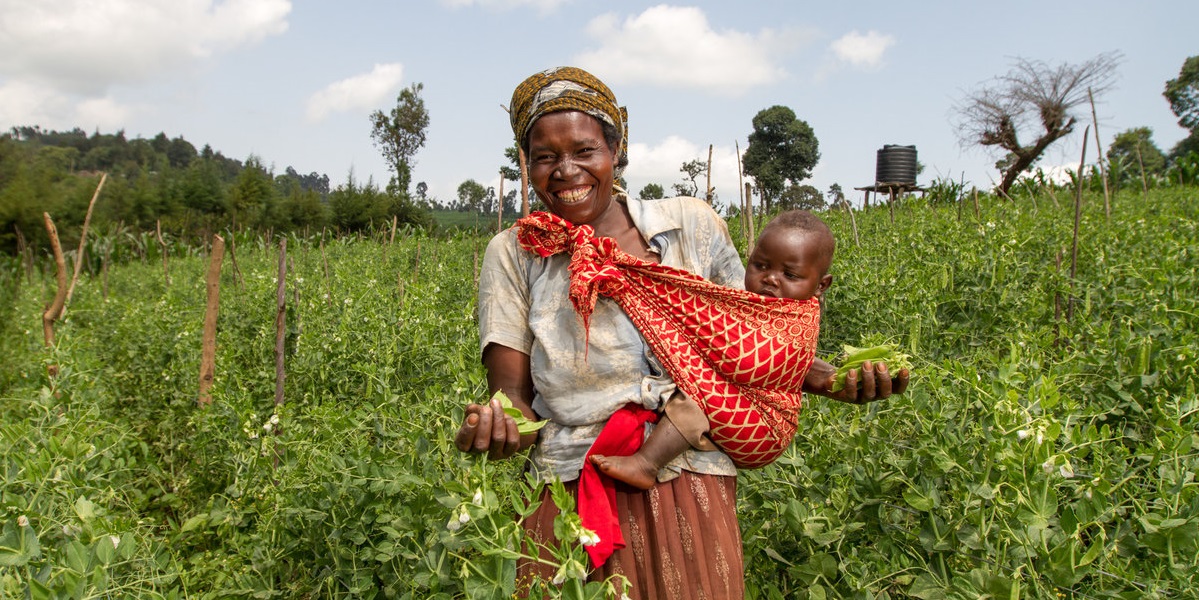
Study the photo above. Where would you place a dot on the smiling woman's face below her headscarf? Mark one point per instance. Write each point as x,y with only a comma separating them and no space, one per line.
571,166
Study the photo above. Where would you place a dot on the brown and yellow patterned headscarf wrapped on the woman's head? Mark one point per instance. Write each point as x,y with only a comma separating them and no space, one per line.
568,89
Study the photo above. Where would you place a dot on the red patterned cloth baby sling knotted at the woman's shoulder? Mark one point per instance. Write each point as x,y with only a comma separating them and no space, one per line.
740,356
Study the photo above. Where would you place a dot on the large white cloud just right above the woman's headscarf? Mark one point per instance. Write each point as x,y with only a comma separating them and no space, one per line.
676,46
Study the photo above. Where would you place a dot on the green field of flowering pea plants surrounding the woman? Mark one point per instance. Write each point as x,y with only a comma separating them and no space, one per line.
1045,449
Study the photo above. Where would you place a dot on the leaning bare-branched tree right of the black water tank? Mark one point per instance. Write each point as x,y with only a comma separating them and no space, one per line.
1034,100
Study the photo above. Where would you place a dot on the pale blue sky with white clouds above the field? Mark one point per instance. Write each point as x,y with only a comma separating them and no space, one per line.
293,83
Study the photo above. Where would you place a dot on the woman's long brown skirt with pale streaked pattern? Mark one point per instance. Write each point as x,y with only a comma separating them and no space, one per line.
682,541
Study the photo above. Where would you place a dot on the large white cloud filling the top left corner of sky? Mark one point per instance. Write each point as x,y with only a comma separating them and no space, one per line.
85,47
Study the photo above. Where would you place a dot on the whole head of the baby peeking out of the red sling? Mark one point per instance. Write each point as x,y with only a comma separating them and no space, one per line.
792,257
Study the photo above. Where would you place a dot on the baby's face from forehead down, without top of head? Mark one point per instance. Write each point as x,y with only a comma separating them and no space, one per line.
787,263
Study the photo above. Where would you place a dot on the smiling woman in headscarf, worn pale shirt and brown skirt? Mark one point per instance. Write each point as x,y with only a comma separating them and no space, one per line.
597,382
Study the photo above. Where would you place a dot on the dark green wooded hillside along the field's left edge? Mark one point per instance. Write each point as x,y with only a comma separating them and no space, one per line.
166,183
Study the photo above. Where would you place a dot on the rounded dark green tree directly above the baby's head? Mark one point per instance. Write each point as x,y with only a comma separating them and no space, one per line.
782,149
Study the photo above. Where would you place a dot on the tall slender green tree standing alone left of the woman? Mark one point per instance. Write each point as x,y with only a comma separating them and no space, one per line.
401,135
